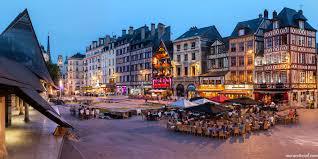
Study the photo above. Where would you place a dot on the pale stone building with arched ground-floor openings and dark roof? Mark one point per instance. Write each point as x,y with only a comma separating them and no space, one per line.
190,52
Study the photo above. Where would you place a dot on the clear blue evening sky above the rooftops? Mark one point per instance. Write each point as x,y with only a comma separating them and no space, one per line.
73,24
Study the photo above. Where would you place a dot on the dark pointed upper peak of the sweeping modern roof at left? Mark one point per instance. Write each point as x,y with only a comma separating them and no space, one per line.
20,39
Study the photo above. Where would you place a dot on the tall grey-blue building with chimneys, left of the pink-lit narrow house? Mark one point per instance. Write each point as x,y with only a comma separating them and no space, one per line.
133,58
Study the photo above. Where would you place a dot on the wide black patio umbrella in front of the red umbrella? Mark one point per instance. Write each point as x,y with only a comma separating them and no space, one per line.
208,108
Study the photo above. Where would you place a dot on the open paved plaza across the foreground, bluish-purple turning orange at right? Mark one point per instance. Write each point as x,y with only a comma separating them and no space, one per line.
136,139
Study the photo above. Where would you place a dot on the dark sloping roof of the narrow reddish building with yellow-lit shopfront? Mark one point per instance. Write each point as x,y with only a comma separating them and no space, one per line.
250,27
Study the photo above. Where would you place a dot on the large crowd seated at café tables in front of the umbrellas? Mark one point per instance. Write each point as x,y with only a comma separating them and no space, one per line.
236,122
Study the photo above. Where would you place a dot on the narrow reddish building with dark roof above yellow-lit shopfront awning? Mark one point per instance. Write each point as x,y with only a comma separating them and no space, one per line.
245,42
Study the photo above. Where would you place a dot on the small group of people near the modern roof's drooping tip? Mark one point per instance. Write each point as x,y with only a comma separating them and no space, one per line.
84,112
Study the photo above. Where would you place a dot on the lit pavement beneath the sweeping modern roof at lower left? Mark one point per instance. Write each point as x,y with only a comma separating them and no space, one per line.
33,140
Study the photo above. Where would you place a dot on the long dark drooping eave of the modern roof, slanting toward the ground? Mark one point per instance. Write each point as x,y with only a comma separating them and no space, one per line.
38,103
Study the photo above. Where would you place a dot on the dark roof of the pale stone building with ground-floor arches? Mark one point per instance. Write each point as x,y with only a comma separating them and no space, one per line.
210,32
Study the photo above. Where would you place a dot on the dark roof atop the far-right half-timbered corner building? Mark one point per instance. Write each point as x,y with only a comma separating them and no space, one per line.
288,18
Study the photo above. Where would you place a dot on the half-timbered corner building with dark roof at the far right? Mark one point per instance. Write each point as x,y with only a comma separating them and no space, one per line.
287,71
